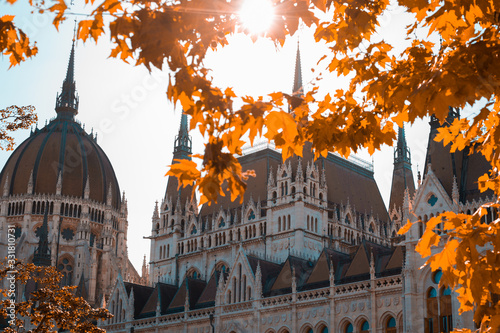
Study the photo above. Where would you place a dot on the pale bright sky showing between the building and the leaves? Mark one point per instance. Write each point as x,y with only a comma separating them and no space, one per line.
135,123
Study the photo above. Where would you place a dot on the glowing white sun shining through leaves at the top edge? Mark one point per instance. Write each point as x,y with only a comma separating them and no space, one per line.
256,15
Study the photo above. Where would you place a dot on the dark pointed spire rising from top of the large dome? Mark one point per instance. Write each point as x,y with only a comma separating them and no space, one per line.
67,100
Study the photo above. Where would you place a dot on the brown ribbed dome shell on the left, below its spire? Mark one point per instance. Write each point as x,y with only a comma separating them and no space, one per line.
61,147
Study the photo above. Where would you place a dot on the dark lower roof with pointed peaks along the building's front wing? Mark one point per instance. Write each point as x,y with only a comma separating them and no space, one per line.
276,278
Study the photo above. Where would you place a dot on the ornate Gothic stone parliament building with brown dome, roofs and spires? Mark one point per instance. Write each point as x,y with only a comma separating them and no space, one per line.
313,248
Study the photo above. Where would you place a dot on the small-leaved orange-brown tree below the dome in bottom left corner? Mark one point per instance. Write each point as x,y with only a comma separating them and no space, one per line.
50,307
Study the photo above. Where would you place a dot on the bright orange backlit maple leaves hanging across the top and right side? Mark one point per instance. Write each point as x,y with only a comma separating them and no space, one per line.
451,59
